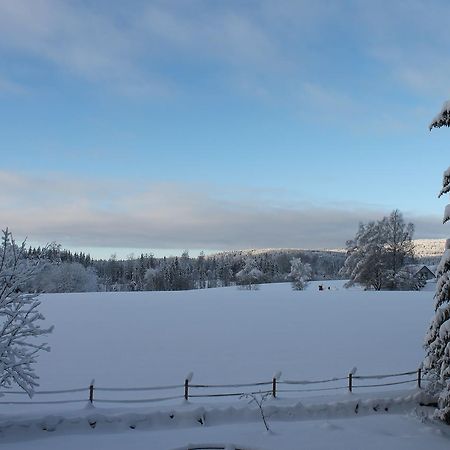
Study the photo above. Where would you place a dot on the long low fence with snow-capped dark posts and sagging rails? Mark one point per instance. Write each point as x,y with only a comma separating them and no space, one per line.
188,390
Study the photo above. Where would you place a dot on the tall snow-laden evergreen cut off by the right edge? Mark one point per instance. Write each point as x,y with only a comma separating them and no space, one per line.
437,340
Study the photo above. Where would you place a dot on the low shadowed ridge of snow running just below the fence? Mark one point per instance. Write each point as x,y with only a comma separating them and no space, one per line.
194,416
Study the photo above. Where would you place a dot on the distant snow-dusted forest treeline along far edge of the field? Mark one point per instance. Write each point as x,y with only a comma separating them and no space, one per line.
78,272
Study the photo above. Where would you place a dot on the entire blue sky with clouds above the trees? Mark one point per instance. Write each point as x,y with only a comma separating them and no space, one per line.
166,125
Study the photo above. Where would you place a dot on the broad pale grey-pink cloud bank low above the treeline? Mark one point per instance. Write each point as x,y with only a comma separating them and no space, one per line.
85,214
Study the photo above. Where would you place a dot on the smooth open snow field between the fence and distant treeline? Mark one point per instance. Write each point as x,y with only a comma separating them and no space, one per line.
228,335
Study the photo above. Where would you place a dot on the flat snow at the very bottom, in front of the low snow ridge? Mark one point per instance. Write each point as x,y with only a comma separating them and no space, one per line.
368,433
